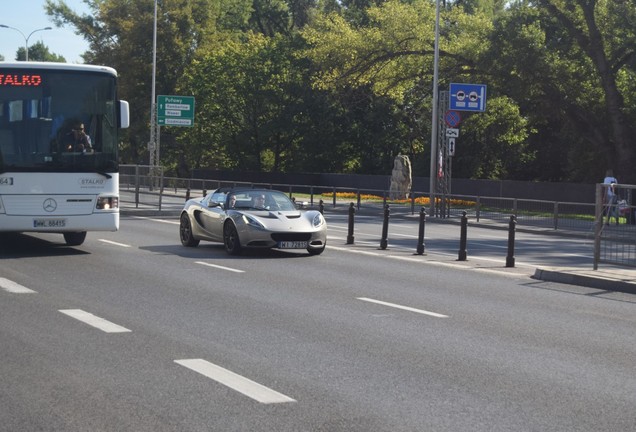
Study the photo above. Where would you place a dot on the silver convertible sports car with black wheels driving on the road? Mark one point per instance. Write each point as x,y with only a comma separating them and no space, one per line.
252,218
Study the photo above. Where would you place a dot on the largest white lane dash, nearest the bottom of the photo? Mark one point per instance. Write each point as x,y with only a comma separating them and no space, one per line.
234,381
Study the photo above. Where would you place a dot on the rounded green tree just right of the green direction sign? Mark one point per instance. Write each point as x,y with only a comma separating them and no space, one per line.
249,107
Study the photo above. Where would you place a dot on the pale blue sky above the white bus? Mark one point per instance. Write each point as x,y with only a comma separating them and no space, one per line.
29,15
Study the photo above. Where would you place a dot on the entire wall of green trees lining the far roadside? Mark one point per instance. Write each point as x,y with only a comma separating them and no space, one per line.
344,86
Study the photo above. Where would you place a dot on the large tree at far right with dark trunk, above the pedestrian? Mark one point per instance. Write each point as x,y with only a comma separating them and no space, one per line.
569,66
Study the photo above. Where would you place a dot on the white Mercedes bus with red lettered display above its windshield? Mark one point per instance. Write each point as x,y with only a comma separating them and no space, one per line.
47,183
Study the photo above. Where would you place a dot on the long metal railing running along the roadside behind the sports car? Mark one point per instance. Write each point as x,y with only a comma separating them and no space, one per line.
615,244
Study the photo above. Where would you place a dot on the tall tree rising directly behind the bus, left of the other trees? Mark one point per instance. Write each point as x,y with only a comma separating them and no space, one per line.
120,32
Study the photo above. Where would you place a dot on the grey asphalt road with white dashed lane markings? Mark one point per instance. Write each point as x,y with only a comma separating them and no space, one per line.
132,331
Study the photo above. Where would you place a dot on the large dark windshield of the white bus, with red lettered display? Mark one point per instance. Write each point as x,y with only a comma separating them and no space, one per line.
57,120
